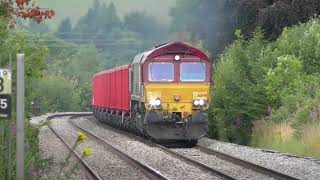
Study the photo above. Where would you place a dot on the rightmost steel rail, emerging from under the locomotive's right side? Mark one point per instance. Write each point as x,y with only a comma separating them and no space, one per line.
246,164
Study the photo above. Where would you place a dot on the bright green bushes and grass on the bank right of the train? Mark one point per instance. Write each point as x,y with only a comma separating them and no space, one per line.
268,93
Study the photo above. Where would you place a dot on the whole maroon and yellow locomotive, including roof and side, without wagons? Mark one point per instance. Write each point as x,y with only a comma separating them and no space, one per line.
169,88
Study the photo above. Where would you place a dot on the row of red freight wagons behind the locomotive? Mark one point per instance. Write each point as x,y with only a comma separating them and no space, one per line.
111,89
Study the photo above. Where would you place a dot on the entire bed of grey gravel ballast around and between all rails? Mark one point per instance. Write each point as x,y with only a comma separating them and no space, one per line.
110,166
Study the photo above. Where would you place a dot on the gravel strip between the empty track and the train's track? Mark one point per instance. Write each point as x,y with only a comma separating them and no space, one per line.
166,164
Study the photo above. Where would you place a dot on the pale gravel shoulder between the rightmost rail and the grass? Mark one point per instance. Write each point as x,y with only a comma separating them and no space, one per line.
301,168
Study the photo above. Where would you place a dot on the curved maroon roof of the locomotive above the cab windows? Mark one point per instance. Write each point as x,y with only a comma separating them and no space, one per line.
169,48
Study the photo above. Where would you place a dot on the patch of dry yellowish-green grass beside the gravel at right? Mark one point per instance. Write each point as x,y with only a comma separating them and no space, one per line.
281,137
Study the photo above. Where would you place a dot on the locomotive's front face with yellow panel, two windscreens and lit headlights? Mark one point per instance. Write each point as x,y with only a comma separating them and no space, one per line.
176,96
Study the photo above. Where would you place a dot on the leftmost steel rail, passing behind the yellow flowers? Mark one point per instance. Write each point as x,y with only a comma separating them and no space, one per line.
87,167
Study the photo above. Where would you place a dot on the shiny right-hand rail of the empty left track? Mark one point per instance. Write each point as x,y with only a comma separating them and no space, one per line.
147,170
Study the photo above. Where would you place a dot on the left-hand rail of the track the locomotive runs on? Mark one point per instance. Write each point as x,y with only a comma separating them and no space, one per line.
190,161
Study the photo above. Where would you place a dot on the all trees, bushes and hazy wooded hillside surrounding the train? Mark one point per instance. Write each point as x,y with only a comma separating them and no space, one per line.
266,58
